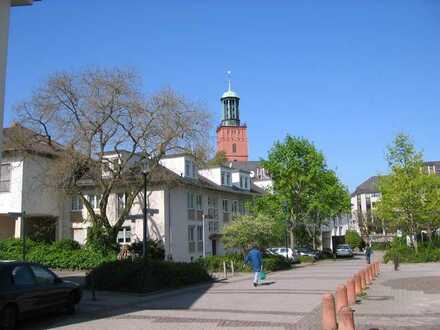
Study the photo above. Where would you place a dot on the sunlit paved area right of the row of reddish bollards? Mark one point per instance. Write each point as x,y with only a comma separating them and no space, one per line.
406,299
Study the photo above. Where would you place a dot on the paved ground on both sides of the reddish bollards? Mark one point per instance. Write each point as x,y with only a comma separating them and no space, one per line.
405,300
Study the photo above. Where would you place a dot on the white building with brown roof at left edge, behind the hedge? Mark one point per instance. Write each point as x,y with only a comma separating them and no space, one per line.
23,187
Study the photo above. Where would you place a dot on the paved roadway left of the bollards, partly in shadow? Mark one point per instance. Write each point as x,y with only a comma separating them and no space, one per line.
288,300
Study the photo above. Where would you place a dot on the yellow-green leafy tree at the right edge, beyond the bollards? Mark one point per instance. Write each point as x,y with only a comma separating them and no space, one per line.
409,195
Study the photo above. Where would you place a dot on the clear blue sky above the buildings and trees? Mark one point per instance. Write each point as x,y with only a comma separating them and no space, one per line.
347,75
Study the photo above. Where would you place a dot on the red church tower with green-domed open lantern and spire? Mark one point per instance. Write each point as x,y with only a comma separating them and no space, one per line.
231,135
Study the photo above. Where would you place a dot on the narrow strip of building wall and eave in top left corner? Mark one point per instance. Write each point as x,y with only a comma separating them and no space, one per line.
5,8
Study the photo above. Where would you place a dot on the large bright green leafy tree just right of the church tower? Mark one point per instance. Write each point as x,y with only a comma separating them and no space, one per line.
302,180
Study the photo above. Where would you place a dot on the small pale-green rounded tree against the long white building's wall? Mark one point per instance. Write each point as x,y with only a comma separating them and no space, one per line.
246,231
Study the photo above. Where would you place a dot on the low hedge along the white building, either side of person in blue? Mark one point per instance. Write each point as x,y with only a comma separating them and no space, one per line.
215,263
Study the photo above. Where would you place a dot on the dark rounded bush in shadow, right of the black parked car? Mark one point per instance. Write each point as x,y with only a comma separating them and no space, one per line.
143,275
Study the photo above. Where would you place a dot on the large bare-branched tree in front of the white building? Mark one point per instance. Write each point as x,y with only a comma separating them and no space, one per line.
94,112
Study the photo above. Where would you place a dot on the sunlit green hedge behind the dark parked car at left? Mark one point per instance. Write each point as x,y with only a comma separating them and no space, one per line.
64,254
